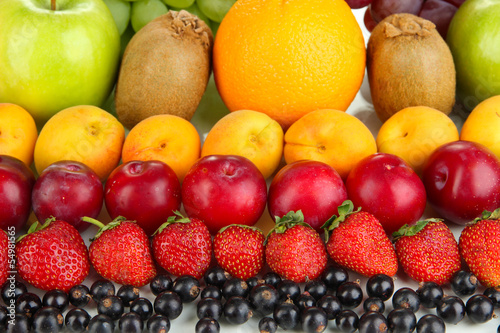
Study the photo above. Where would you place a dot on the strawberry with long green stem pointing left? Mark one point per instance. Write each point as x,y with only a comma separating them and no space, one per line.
121,252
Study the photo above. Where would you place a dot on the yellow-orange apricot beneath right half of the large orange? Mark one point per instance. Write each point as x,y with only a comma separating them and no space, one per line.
330,136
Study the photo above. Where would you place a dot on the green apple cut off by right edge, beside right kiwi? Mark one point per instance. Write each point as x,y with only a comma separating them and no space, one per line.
474,40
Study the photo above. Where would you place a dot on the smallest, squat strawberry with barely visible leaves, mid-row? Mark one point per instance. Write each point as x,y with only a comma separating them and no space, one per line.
239,250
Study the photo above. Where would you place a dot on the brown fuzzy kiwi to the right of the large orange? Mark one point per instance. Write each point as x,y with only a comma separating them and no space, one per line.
409,64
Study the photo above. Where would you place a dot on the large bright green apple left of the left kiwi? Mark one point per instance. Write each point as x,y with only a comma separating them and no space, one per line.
56,54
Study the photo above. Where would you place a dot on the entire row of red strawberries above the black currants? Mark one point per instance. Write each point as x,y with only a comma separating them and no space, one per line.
54,255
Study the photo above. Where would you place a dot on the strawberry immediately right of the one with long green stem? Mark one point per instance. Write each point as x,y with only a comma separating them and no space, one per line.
183,246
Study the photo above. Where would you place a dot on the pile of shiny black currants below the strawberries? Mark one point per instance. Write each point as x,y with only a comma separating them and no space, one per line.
333,300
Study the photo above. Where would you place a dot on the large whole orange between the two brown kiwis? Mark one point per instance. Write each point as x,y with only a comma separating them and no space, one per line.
289,57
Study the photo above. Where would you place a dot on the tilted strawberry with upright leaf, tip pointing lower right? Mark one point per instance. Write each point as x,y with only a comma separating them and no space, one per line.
356,240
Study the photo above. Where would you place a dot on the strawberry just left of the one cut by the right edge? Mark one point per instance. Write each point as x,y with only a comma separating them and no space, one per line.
427,251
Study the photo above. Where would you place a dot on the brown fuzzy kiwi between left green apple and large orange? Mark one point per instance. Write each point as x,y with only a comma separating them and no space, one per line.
165,69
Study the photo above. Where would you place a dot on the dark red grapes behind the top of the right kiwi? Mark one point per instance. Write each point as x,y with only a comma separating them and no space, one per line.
440,12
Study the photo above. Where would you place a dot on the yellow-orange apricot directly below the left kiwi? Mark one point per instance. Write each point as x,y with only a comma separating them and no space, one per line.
167,138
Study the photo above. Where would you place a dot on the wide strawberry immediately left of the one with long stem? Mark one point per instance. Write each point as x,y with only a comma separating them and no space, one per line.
52,256
